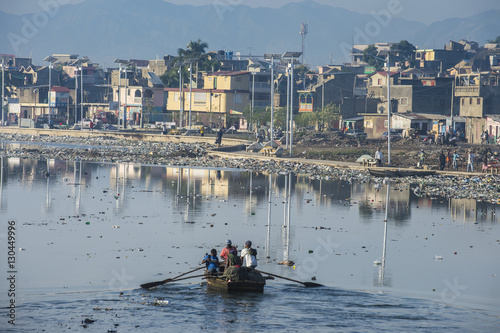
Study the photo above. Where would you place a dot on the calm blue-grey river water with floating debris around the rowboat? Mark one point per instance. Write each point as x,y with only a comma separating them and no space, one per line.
88,234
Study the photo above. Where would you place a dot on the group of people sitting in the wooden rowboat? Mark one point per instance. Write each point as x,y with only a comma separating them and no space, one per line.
229,257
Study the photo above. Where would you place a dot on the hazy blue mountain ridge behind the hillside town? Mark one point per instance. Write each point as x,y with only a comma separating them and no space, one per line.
105,30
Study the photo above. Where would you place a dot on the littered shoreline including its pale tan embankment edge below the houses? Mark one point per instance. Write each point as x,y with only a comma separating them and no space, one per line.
194,151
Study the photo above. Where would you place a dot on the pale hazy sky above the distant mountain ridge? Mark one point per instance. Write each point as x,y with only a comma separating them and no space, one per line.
426,11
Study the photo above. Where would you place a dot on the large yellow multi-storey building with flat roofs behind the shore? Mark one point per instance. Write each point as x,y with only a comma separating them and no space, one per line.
222,92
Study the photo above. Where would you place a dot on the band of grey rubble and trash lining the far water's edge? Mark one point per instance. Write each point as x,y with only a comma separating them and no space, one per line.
102,149
